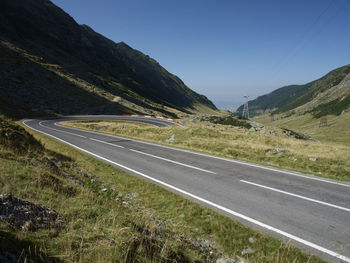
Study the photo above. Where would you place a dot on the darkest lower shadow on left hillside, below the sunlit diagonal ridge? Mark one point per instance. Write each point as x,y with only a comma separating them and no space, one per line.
28,89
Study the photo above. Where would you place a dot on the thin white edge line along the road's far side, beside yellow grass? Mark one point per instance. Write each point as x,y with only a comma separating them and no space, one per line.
311,177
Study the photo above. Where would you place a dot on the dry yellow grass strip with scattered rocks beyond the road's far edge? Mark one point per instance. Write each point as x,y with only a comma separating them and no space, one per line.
333,160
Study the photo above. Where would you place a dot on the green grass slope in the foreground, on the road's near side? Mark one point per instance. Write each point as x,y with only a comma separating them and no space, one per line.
132,221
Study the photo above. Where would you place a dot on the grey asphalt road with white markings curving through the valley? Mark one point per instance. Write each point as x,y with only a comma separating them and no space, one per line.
311,212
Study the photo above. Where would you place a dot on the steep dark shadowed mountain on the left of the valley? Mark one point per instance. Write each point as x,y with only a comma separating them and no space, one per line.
51,64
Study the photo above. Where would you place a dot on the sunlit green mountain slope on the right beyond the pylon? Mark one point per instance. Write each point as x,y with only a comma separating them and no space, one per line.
327,95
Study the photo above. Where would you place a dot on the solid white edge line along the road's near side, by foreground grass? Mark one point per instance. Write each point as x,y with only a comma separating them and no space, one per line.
249,219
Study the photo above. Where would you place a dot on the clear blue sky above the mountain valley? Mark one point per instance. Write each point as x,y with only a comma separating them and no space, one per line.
225,49
